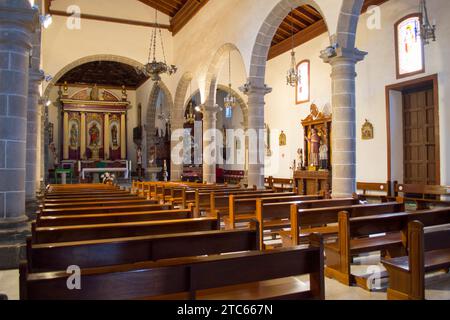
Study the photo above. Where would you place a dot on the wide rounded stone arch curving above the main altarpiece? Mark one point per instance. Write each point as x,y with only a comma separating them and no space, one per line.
79,62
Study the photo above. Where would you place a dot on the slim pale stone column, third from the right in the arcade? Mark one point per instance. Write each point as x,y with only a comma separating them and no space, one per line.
209,143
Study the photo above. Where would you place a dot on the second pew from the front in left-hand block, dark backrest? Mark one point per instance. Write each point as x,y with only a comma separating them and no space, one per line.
108,252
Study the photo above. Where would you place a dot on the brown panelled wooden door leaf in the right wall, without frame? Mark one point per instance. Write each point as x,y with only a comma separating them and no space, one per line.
420,134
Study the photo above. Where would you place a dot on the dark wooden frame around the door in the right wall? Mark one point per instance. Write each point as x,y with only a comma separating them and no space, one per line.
401,87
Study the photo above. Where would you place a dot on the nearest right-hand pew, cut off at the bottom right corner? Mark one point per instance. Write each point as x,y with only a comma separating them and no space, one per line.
429,251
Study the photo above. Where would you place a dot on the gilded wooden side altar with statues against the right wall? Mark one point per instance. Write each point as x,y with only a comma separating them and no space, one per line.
313,173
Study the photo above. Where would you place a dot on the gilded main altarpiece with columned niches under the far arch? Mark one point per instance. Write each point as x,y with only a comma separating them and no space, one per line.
93,125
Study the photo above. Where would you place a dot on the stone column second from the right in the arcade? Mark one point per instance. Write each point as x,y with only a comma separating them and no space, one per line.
255,133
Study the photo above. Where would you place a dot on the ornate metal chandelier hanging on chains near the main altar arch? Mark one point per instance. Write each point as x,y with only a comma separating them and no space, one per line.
154,68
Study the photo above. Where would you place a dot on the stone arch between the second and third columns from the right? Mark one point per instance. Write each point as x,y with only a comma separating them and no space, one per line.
214,69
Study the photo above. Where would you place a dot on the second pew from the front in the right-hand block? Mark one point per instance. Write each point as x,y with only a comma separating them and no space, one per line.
354,239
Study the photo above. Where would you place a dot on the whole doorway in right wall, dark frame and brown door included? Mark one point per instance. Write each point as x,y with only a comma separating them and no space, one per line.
413,132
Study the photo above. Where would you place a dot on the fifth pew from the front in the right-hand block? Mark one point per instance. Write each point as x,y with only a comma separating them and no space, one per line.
244,209
